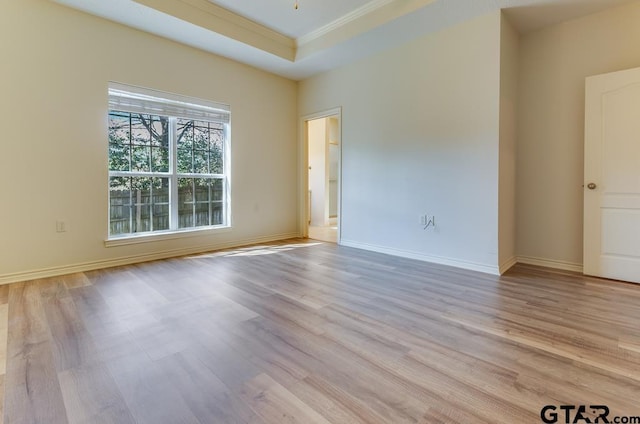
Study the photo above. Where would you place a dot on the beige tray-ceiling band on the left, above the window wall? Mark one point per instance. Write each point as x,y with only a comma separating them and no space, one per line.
212,17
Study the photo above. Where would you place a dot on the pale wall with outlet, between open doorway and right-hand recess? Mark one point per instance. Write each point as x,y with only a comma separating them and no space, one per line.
420,135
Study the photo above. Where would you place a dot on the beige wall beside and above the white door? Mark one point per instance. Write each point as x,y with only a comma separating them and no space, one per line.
553,65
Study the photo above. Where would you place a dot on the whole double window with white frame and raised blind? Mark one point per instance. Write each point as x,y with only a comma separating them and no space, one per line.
168,162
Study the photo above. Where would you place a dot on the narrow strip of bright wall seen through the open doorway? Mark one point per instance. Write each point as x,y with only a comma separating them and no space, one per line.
317,173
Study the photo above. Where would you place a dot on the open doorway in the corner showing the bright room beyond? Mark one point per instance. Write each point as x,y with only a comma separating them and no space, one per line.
323,147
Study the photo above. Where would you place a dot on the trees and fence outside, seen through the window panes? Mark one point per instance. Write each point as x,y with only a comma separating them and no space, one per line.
141,144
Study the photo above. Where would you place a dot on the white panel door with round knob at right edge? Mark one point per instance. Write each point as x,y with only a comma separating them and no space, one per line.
612,176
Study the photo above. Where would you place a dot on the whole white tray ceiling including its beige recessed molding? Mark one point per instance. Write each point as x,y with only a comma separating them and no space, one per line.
320,34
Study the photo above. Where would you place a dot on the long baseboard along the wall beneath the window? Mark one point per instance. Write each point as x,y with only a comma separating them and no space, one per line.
92,265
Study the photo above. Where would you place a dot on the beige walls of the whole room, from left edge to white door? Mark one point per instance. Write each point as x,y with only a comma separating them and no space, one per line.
424,130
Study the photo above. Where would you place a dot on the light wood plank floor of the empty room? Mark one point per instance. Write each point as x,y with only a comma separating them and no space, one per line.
309,333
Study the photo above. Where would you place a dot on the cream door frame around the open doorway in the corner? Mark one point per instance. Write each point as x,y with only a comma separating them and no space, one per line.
303,168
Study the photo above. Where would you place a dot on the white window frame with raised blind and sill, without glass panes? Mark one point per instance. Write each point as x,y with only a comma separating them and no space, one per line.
133,99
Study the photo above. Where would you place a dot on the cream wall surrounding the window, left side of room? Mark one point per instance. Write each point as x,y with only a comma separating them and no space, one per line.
54,70
